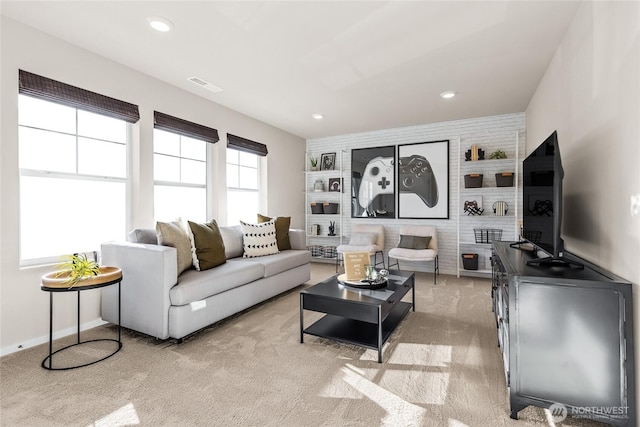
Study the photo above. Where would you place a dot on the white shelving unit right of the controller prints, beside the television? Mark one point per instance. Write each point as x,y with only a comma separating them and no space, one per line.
487,196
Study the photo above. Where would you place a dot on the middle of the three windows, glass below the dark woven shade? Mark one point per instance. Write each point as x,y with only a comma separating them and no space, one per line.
180,177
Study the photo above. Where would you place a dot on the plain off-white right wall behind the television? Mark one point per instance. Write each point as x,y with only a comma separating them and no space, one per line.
591,95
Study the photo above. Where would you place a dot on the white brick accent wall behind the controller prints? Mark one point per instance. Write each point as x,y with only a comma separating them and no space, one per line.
489,133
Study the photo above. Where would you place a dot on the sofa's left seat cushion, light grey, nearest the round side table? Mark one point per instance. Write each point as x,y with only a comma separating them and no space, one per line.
198,285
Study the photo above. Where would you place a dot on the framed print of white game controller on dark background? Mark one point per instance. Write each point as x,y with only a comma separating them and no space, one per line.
373,182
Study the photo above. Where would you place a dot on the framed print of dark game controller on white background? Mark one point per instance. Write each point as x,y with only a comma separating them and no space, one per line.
423,180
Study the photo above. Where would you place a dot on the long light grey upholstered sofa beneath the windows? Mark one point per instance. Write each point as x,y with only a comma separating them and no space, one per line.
158,302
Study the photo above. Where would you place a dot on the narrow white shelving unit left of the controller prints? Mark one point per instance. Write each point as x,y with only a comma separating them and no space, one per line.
322,187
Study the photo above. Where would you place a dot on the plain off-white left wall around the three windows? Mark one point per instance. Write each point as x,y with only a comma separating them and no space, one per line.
23,306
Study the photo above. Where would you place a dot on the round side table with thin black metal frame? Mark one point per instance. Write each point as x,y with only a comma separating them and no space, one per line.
112,276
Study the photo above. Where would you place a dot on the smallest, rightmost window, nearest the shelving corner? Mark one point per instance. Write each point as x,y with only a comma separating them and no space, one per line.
243,197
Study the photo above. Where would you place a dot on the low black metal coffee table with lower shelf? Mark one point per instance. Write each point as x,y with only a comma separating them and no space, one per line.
354,316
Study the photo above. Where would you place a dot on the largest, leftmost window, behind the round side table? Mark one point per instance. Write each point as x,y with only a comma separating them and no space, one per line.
73,176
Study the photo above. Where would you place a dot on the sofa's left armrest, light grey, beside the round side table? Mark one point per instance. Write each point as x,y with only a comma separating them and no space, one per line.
148,273
